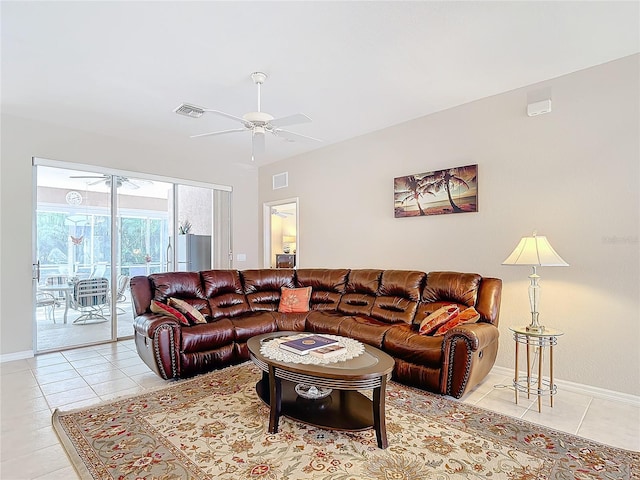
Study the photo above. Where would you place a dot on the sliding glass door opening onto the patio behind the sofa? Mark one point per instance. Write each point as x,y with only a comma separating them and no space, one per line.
96,230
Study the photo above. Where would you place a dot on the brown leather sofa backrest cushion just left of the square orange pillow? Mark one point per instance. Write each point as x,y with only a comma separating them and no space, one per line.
262,287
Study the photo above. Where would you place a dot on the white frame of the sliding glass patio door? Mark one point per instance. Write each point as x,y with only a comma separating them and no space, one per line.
114,229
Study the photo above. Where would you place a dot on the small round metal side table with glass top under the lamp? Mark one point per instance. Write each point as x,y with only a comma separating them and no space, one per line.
538,341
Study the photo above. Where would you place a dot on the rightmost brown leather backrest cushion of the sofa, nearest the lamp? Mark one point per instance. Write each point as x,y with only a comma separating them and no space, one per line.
452,287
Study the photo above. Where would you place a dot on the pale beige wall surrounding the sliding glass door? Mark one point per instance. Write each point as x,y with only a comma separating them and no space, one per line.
23,139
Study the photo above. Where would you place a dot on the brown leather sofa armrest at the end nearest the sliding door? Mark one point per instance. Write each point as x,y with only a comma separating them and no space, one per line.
157,339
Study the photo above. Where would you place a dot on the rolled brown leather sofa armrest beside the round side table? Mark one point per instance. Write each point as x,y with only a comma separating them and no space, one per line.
469,352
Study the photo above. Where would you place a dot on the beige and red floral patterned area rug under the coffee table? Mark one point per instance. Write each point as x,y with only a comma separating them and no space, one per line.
215,427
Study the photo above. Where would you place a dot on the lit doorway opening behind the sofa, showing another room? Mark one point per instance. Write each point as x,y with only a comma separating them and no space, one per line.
281,238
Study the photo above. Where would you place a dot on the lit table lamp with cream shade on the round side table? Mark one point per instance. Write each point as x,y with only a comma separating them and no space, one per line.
535,251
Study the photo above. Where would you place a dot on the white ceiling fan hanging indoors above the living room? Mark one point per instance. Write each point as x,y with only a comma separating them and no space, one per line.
258,123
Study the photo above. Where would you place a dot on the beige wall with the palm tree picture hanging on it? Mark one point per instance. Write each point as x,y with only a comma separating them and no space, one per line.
572,174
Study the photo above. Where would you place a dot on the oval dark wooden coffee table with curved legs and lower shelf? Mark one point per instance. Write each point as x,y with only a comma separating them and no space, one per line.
345,408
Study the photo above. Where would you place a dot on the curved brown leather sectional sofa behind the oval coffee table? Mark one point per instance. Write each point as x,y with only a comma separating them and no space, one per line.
380,307
